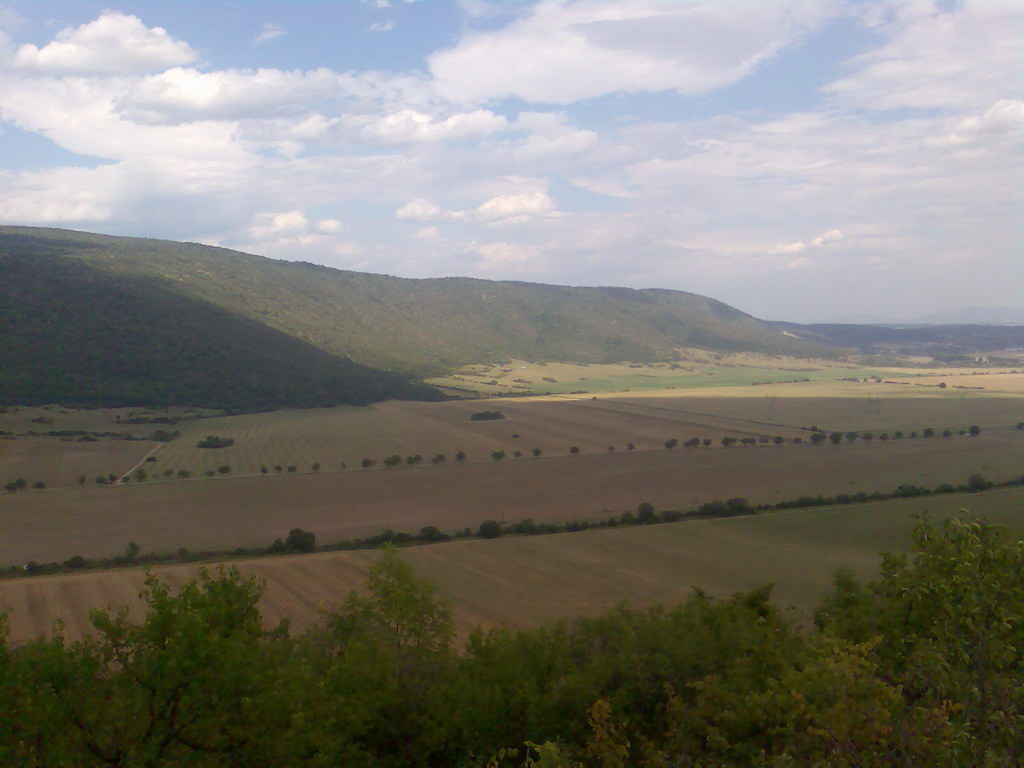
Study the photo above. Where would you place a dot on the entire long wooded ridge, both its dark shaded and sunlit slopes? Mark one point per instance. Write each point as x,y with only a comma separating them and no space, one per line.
100,320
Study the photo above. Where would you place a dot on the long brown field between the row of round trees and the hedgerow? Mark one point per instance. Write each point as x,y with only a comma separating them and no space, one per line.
225,514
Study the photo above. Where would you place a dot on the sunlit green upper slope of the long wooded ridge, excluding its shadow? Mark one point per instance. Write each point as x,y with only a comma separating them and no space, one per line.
420,326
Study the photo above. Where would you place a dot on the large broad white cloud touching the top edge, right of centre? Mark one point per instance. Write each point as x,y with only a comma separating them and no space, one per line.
559,52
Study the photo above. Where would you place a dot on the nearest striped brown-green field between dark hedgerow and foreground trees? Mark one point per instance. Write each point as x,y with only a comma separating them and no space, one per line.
525,581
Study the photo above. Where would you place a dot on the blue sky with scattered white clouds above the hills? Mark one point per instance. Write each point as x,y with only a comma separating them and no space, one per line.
801,160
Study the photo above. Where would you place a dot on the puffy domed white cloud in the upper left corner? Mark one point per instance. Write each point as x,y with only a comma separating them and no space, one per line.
114,45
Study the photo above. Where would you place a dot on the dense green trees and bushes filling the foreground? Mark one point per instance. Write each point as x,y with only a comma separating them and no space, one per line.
923,667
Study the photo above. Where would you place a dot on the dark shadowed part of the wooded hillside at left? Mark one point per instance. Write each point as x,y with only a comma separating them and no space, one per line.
73,333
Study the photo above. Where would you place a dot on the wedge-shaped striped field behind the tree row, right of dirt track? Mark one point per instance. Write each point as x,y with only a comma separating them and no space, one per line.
333,438
